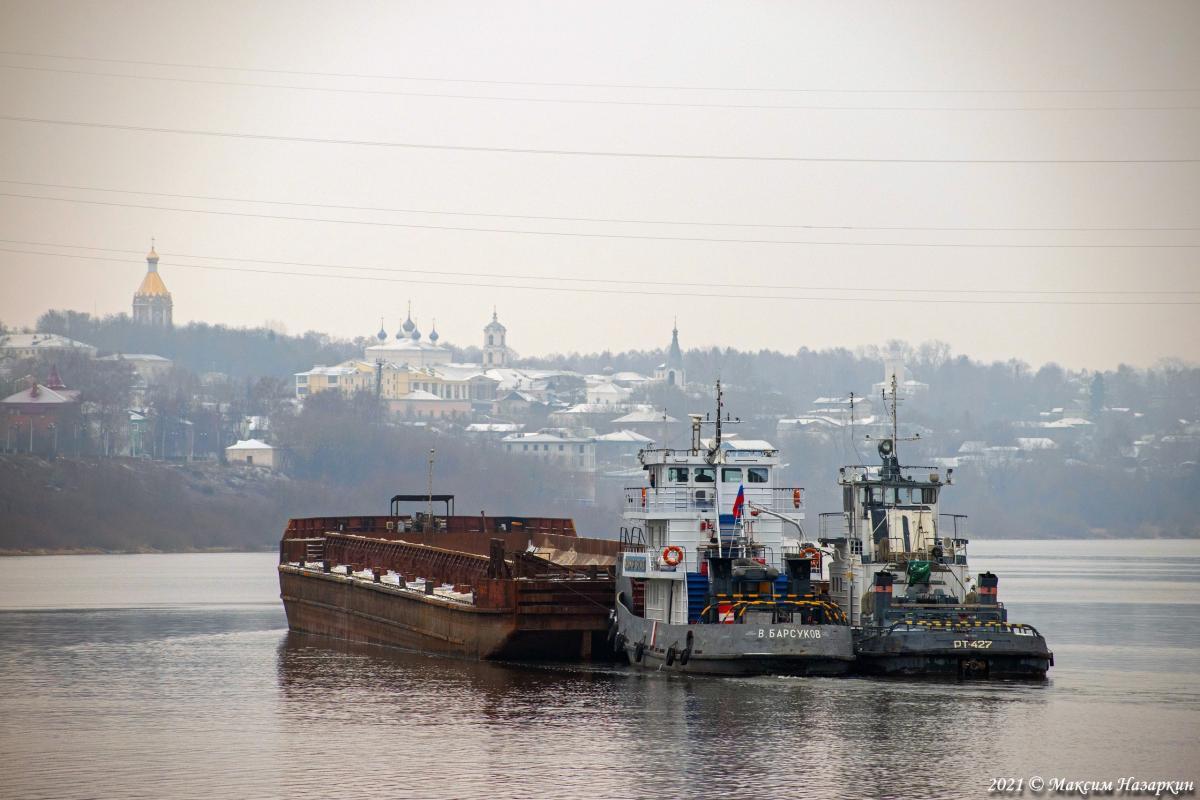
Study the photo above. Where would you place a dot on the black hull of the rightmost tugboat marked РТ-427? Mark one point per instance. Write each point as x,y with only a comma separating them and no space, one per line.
975,653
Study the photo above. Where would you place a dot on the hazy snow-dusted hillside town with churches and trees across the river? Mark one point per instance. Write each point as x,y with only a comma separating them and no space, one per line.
69,398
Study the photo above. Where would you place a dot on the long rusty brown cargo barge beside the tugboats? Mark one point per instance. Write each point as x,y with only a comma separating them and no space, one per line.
475,587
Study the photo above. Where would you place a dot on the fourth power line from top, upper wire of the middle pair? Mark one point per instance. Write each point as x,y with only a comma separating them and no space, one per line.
597,220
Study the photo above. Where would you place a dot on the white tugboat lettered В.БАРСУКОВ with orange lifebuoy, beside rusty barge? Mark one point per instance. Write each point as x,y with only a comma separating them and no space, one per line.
715,576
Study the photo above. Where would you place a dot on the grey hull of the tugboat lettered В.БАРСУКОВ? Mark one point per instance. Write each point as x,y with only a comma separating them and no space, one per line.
742,649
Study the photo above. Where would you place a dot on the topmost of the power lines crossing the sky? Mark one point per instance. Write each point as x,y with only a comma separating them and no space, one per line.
601,86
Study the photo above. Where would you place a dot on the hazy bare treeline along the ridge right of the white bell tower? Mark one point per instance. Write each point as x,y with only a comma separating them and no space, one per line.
965,393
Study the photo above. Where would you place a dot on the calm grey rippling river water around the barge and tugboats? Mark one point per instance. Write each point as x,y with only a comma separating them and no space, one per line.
175,677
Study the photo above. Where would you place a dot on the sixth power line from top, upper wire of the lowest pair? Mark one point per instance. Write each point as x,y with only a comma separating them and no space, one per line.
610,280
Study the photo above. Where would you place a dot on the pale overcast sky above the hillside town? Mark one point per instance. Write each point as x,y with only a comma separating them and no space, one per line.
1021,181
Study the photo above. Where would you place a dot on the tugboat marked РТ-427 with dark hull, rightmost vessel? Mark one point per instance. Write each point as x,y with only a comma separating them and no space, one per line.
920,613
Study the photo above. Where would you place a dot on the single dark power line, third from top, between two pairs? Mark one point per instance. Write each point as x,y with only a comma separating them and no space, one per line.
603,154
